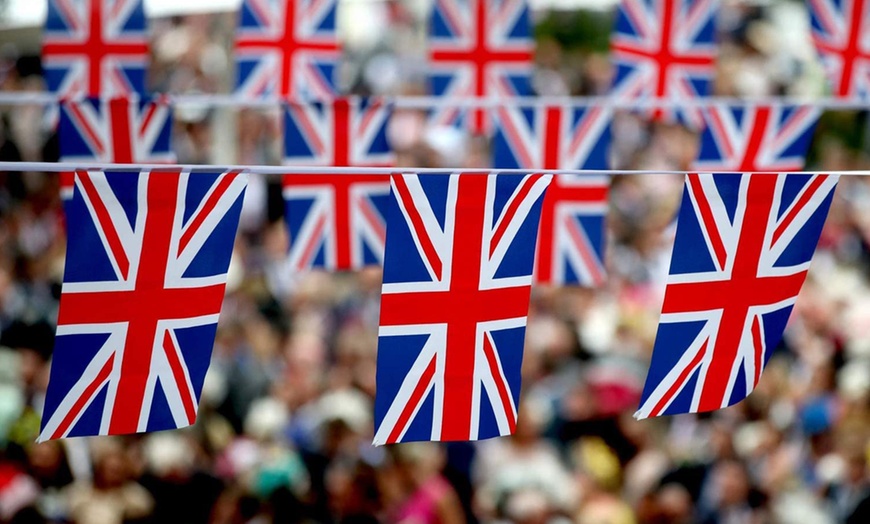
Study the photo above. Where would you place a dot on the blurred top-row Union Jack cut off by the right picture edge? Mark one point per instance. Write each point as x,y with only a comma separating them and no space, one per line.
841,34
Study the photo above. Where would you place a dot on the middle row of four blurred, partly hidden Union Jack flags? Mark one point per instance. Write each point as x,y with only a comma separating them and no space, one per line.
337,222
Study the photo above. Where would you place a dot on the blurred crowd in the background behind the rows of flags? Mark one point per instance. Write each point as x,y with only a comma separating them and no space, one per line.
285,419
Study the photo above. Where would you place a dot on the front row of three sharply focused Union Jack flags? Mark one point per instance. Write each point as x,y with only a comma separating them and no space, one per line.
148,255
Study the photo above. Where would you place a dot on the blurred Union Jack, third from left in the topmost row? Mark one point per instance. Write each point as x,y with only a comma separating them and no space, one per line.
478,48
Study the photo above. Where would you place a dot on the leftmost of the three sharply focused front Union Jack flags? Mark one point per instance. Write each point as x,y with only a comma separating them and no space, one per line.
146,267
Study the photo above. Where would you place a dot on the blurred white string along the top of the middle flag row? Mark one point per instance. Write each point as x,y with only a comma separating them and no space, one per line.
428,102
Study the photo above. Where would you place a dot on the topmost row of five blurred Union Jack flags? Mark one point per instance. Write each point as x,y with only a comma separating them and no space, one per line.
484,48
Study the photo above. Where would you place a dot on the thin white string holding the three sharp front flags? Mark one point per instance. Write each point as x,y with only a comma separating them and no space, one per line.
57,167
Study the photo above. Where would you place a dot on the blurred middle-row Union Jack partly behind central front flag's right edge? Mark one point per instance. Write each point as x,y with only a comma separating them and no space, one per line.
571,240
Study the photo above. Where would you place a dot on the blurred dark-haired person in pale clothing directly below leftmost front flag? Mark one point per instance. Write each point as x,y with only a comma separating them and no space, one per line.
113,496
